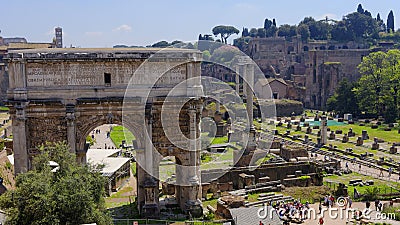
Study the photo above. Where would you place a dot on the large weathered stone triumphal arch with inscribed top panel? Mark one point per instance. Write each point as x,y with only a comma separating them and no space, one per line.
63,94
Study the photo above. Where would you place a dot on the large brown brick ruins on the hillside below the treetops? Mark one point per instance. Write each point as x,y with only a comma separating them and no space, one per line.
311,70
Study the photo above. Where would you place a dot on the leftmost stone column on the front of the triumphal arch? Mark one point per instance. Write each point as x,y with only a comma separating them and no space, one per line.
21,160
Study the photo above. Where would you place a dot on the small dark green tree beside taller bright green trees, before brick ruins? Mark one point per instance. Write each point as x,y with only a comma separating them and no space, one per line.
344,99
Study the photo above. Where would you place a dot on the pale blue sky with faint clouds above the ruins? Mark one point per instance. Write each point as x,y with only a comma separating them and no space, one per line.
104,23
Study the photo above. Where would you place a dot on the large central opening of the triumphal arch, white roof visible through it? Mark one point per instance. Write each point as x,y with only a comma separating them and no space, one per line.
111,149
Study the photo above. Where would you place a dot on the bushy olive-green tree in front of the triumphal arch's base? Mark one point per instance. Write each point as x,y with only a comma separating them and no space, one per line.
71,195
